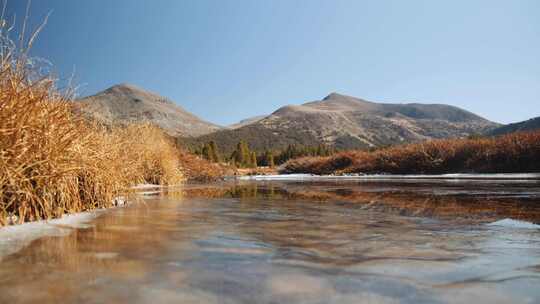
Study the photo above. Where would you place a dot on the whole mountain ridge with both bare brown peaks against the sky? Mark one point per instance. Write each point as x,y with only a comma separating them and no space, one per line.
338,120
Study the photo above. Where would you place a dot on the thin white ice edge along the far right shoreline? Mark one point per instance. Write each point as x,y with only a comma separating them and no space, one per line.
453,176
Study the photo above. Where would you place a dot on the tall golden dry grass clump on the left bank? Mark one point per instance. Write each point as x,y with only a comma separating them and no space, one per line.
52,161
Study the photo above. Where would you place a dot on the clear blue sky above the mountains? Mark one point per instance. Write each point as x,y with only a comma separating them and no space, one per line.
229,60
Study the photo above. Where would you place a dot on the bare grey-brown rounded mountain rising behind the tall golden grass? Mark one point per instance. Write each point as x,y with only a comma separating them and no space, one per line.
125,103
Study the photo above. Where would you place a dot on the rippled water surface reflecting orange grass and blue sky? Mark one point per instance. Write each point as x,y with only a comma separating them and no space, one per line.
292,242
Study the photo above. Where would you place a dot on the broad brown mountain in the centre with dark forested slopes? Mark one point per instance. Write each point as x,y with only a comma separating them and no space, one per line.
347,122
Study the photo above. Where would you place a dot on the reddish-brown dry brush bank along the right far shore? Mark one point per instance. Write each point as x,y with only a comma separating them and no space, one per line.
518,152
